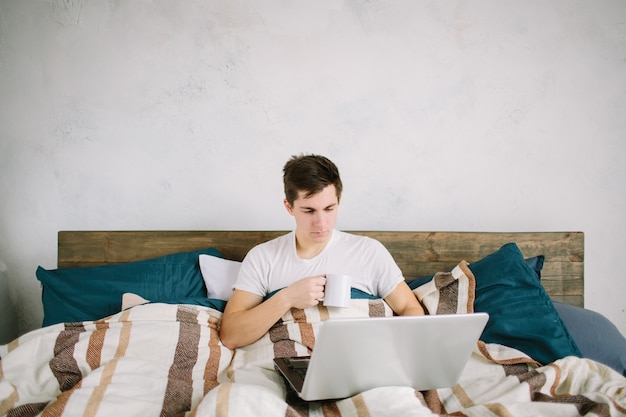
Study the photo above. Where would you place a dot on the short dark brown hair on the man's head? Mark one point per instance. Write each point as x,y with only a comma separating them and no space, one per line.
311,174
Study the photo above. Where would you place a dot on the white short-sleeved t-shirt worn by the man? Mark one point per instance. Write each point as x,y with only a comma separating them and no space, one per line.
275,264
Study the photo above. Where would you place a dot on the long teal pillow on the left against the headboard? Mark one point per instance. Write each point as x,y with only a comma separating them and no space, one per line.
79,294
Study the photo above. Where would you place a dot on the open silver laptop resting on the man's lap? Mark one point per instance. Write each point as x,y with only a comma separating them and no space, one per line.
354,355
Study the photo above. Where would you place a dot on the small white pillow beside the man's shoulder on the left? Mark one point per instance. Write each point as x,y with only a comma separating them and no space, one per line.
219,276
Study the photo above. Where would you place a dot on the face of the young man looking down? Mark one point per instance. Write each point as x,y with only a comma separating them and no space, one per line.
315,216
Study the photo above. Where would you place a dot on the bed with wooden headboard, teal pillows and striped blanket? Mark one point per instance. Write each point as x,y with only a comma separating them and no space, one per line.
131,327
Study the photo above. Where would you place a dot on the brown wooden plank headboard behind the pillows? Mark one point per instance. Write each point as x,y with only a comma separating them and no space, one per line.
417,253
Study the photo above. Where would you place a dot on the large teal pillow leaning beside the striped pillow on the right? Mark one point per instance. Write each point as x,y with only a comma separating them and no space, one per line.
521,314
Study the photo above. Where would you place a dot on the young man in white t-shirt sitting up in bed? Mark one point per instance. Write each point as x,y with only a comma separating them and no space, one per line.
295,264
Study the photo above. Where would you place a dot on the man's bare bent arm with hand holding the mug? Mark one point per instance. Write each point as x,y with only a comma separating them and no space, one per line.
247,317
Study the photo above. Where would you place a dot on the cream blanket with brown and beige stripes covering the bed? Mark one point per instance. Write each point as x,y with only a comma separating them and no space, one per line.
167,360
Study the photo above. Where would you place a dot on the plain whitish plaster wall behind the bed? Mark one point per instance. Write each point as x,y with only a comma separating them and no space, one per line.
459,115
